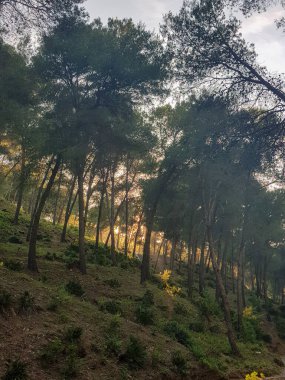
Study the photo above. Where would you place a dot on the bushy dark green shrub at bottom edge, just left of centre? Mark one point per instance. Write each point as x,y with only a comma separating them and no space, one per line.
135,354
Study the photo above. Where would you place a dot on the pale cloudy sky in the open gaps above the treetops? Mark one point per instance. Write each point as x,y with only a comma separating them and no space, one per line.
259,29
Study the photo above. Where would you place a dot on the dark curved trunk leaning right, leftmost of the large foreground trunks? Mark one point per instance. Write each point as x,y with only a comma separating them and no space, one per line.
32,262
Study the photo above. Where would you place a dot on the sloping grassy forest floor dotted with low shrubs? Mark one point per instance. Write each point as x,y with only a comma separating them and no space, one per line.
105,325
